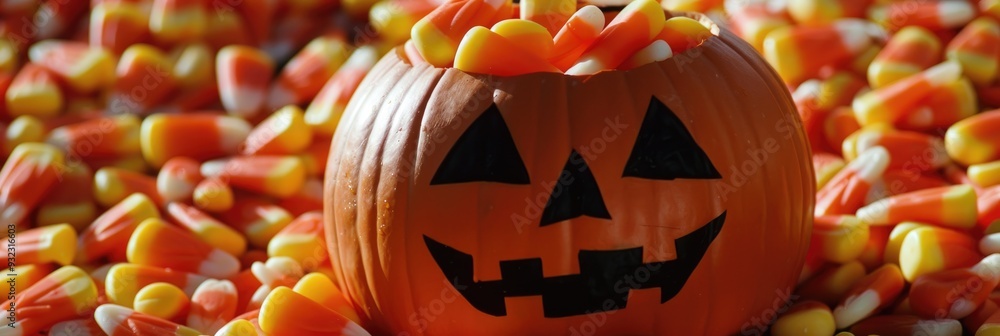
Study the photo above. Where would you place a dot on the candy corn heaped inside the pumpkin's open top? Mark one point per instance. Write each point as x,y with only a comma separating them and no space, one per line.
558,36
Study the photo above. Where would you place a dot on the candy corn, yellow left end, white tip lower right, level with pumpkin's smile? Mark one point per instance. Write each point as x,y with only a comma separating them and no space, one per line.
156,243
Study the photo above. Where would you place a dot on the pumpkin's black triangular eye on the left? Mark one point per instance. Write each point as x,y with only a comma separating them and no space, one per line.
484,153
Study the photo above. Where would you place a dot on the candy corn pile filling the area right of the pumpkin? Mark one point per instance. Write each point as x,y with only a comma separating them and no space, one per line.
899,102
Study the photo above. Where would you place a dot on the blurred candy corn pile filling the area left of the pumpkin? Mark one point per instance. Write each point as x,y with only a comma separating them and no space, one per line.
163,161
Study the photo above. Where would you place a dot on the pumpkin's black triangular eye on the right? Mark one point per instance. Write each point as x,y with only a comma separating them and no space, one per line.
665,150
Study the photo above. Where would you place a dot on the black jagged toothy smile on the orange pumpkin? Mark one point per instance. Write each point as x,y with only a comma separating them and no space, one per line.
604,282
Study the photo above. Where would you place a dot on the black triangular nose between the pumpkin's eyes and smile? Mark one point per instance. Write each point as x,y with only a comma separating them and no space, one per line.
575,194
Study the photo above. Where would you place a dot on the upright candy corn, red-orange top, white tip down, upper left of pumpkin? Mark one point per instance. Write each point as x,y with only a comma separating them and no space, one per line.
243,74
